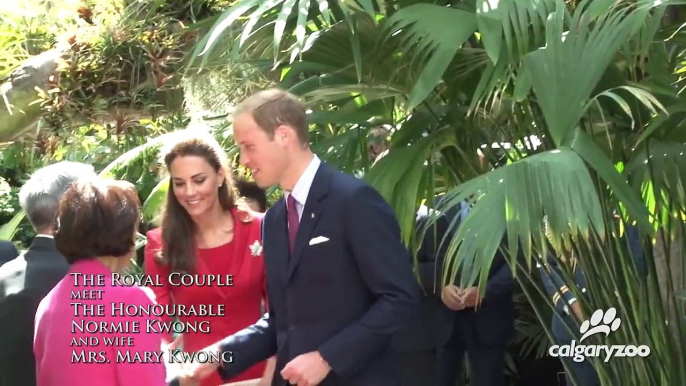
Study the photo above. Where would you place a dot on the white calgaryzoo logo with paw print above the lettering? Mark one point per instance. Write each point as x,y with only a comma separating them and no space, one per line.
600,322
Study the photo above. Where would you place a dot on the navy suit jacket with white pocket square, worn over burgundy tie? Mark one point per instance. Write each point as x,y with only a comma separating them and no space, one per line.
344,297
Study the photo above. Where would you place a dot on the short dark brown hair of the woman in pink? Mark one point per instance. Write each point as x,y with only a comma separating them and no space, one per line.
95,218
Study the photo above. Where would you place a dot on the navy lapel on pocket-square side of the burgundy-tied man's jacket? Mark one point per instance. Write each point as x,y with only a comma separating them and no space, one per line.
312,212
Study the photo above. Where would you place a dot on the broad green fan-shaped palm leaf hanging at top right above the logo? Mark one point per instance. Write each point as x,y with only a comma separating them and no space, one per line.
563,76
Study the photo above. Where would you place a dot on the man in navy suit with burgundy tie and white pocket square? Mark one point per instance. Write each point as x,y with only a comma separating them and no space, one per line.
339,279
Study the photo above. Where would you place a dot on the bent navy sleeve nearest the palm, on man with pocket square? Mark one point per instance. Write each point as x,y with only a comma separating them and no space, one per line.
373,235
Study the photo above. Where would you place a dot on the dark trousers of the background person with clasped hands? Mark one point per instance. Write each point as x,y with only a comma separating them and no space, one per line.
486,363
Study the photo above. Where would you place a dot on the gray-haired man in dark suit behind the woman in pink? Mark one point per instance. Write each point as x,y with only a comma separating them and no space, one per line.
26,280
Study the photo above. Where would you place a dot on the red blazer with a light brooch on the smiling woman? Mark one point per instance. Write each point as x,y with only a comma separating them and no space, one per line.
243,259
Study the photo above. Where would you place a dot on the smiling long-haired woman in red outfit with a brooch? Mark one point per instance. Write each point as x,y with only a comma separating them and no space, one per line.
207,233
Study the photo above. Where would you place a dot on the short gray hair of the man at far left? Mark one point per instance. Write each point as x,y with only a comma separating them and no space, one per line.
41,194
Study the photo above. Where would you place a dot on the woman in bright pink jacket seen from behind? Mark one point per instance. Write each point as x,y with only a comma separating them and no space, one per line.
88,330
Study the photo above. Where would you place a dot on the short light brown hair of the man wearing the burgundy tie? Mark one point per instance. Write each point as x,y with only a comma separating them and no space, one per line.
273,107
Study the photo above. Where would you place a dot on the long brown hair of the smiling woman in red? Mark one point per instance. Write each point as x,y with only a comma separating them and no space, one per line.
178,228
